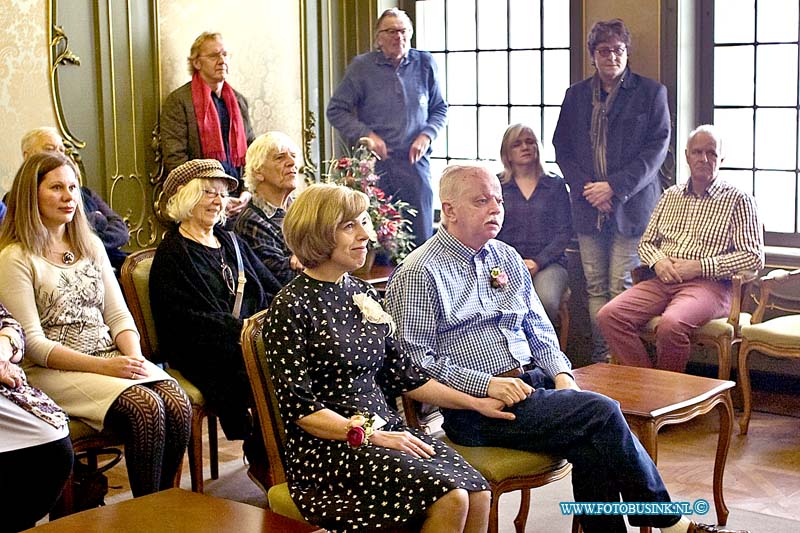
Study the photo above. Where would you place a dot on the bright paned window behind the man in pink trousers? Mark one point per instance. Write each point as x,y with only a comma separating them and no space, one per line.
756,102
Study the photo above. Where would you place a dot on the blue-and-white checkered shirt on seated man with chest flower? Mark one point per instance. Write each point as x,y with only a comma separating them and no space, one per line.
459,328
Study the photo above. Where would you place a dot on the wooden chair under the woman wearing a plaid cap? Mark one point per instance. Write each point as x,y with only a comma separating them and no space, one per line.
135,278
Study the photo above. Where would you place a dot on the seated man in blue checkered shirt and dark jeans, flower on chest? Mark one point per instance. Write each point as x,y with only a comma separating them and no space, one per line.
466,312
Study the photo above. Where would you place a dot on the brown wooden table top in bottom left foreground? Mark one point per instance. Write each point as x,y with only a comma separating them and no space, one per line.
176,510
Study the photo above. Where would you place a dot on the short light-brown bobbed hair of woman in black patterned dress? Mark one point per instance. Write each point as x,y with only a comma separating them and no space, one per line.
310,224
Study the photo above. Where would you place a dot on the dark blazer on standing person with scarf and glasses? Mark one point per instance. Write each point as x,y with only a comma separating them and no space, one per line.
638,138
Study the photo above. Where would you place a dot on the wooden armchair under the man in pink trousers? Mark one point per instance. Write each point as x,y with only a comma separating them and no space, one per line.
722,334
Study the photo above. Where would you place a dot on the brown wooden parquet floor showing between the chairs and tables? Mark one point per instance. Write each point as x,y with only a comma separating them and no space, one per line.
762,473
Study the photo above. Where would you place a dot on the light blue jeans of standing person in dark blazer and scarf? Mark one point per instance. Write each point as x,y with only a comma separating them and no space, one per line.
607,259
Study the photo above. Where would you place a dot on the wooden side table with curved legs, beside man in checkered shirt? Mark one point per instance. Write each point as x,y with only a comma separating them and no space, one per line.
651,398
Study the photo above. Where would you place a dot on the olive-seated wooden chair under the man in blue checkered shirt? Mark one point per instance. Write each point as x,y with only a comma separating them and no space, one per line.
505,469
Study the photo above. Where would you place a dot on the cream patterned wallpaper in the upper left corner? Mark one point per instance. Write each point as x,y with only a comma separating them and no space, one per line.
24,79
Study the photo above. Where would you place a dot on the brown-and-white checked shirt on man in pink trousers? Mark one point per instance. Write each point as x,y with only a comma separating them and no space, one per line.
720,228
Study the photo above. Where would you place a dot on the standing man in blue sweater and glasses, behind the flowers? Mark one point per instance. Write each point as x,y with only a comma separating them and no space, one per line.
392,97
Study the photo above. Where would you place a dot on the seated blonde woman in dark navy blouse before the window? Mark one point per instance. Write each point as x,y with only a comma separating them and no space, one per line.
537,219
